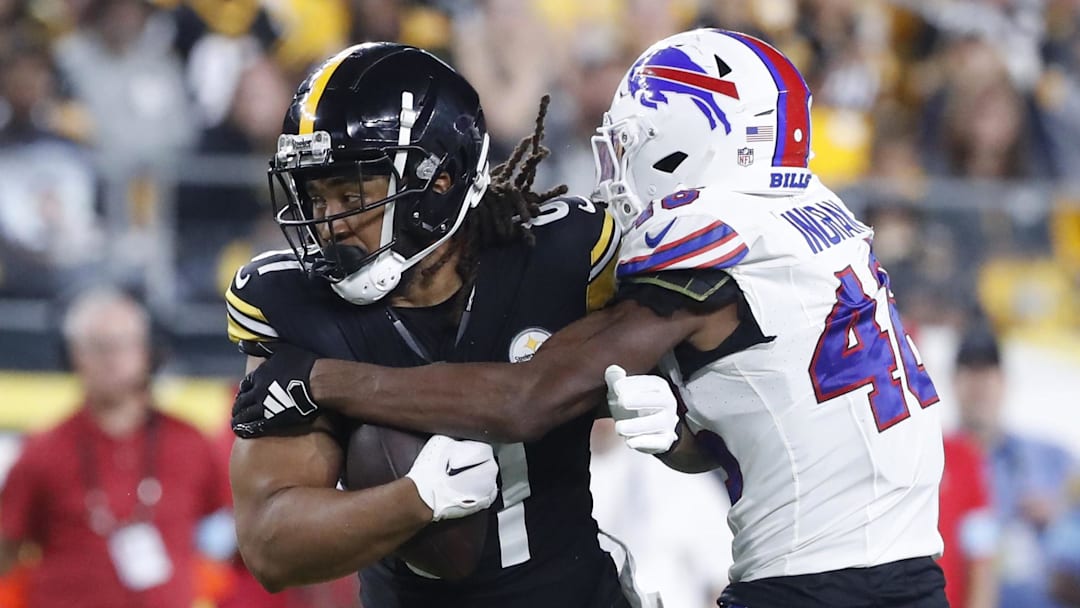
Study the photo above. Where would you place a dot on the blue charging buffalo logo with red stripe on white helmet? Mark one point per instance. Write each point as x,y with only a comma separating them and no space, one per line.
670,71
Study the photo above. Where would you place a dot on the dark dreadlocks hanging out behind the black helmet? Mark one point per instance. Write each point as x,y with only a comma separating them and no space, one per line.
510,205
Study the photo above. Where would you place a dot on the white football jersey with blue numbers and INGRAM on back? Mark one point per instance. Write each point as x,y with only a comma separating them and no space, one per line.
828,433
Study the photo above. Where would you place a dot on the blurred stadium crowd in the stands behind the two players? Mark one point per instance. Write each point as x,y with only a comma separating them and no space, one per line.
134,137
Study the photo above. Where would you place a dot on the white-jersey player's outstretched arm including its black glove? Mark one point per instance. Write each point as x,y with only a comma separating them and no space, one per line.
484,401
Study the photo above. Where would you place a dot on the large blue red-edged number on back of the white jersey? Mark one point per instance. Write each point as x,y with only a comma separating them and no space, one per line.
856,350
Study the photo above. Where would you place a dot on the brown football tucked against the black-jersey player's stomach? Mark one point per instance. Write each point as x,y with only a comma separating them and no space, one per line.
450,549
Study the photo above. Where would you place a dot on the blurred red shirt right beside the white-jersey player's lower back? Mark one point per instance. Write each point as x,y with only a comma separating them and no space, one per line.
967,528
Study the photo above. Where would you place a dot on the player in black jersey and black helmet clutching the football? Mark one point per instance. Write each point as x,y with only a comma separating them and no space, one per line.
406,252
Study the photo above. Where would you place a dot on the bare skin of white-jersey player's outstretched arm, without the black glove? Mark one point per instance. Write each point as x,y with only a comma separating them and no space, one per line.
508,402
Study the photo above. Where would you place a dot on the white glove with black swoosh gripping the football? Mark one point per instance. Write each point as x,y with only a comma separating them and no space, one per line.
455,478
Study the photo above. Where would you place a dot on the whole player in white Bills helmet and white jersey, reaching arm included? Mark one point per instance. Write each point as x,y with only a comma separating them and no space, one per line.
754,291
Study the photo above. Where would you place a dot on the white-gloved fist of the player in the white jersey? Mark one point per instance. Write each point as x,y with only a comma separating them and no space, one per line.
644,409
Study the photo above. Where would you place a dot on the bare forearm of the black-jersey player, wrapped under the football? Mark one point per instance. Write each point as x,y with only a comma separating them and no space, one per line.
303,536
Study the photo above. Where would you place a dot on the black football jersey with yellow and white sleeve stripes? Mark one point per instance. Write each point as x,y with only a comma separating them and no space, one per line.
542,546
